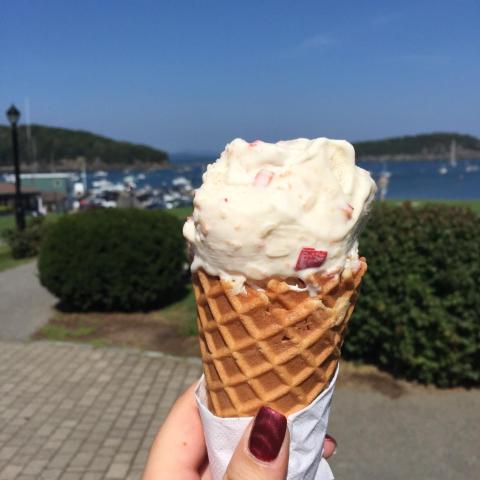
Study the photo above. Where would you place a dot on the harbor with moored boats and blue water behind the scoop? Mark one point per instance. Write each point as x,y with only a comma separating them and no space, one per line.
174,186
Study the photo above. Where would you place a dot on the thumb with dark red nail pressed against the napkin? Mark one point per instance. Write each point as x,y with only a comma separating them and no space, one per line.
262,453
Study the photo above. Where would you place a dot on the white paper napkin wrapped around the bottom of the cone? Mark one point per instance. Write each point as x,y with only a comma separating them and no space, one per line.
307,431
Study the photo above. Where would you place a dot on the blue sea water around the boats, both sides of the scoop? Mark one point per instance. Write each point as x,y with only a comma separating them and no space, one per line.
408,180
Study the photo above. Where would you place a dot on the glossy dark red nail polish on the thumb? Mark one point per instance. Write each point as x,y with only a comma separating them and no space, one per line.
267,434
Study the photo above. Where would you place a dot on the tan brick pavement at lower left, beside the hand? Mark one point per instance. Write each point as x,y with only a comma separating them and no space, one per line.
72,412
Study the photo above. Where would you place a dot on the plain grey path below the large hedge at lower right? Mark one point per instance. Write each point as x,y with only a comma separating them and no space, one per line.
424,433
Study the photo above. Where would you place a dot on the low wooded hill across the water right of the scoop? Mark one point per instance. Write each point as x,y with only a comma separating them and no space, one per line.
419,147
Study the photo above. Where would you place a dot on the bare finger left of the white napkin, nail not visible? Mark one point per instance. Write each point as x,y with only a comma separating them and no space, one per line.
179,448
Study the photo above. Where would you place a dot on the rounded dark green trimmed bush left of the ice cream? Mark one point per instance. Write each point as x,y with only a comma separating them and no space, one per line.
114,260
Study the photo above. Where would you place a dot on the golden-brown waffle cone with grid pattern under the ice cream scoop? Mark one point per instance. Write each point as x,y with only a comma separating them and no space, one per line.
275,347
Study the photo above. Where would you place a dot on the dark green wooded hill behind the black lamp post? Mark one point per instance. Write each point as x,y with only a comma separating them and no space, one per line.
61,147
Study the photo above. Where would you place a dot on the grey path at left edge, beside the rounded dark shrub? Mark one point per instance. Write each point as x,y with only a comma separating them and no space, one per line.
24,304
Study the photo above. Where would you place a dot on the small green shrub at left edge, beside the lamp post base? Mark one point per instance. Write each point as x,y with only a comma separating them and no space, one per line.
26,243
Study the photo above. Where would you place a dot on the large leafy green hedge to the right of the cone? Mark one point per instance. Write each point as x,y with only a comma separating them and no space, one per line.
418,314
